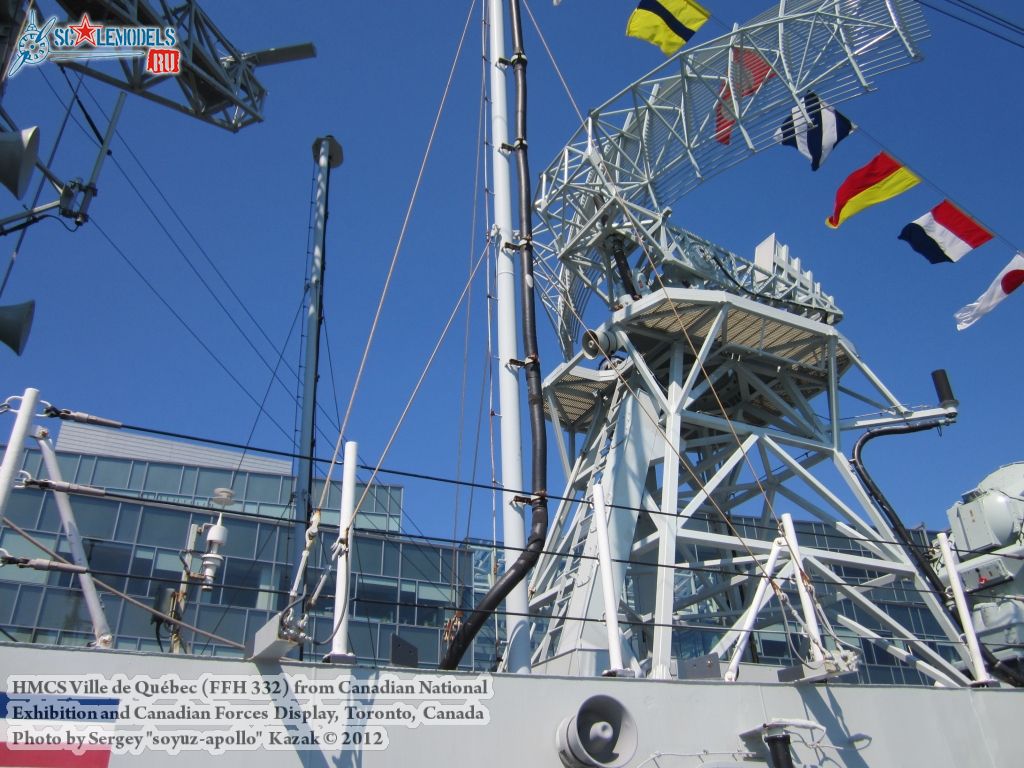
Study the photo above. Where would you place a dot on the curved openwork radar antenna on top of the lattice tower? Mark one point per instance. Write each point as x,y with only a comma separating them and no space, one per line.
609,192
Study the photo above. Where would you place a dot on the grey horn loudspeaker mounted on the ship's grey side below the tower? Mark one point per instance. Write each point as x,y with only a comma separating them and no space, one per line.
602,734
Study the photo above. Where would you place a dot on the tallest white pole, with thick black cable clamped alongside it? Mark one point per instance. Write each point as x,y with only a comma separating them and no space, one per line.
517,605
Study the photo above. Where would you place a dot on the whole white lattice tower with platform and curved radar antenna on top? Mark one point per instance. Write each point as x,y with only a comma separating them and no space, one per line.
716,391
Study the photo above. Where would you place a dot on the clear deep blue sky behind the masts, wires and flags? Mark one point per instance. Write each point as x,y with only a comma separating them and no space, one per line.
103,344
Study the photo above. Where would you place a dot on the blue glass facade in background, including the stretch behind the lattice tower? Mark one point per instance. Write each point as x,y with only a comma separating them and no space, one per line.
401,586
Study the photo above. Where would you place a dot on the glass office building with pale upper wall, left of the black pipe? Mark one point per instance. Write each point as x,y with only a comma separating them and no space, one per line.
135,537
